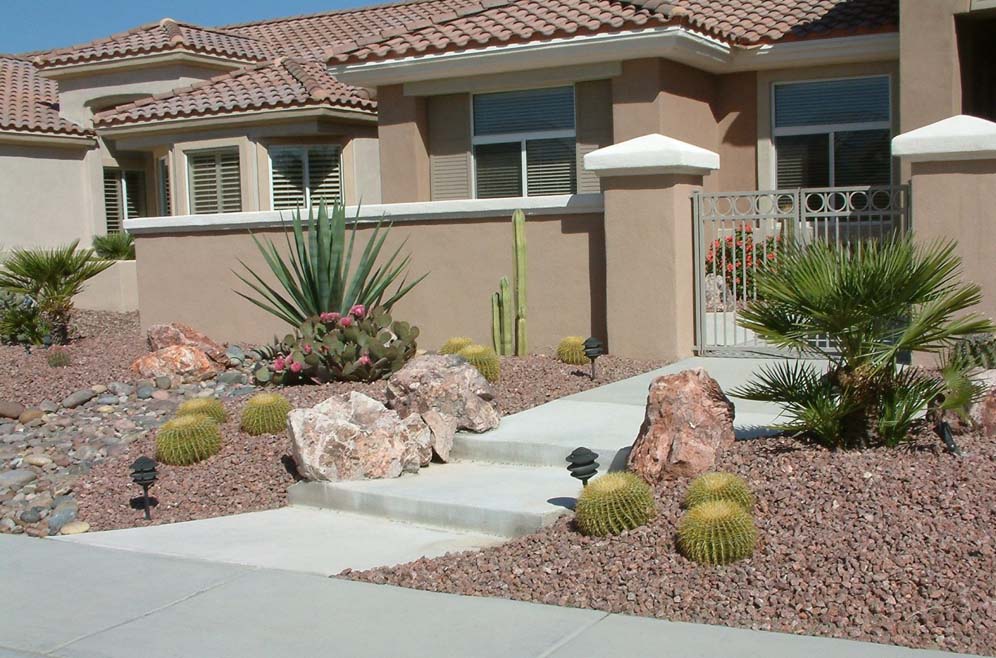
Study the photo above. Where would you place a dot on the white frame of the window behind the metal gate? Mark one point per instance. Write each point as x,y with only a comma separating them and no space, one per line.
829,129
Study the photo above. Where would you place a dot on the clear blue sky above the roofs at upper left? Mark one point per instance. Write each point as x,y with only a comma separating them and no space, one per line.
44,24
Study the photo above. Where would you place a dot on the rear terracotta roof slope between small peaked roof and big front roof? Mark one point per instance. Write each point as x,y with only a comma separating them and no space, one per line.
314,34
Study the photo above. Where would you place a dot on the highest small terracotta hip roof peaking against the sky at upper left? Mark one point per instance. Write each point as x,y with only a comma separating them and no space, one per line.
165,36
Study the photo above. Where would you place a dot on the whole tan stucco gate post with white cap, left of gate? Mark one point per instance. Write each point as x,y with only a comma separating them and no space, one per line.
647,183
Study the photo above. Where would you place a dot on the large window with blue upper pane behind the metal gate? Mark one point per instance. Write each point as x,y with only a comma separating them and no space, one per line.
833,133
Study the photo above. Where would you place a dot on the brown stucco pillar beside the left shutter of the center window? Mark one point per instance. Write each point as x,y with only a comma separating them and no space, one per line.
402,129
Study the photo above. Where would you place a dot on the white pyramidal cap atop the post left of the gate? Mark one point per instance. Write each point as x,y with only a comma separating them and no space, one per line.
651,154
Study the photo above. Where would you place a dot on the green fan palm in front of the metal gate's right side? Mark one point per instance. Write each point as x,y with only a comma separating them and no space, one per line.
861,307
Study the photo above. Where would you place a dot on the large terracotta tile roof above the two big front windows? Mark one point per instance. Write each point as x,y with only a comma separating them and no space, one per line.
742,22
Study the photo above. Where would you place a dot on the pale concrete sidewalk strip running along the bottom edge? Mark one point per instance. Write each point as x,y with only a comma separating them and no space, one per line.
68,600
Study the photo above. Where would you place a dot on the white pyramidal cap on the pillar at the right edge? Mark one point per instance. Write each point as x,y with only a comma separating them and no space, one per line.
959,137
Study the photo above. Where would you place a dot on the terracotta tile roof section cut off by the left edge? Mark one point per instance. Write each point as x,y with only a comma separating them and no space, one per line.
30,103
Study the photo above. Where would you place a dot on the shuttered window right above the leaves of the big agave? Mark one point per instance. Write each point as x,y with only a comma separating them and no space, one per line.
304,175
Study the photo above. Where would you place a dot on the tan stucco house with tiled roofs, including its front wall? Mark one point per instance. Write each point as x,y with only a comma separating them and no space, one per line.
613,123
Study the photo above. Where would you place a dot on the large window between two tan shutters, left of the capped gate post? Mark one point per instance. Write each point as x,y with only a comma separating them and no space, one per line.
524,143
